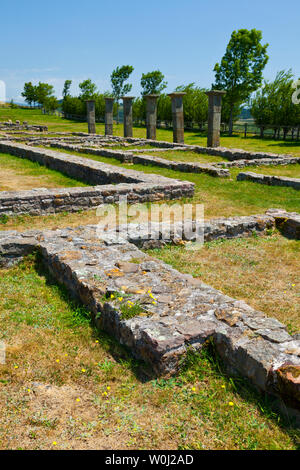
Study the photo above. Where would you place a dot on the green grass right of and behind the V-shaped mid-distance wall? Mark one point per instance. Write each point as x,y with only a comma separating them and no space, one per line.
225,196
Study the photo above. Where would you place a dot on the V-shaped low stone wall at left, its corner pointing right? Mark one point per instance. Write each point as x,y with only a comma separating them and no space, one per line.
114,181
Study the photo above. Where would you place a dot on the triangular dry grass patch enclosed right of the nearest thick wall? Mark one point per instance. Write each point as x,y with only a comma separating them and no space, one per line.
262,271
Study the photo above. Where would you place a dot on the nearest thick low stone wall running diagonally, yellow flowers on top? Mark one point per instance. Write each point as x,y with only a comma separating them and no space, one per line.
181,313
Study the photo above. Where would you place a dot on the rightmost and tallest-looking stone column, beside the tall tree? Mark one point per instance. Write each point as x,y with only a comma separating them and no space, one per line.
214,117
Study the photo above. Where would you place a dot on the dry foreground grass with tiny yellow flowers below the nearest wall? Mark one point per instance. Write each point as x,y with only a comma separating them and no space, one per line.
66,386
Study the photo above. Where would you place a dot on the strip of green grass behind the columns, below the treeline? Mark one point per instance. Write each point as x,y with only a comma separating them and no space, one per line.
56,124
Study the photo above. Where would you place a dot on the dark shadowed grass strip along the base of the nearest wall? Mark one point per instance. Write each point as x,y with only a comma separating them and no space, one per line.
194,366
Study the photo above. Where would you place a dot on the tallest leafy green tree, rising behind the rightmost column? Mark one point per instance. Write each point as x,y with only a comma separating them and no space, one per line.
240,70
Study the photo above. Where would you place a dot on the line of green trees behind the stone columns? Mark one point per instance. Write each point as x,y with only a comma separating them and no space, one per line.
239,73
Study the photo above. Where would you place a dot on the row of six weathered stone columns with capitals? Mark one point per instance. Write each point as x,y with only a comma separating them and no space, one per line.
214,116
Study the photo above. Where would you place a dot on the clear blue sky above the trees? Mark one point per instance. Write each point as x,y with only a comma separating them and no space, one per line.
69,39
